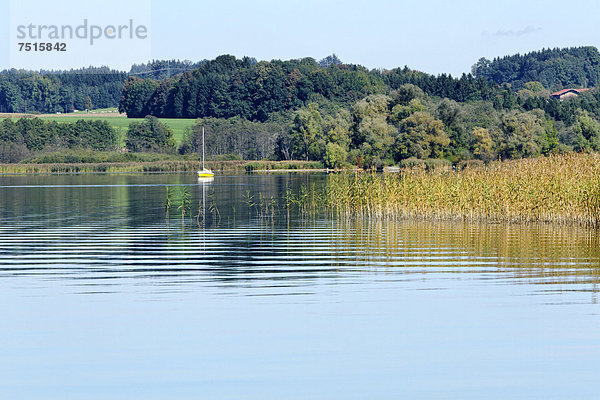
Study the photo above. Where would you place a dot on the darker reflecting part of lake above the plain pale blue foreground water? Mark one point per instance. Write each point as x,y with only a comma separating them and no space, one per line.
170,230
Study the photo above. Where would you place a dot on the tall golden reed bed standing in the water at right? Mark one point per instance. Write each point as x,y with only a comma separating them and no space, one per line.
559,189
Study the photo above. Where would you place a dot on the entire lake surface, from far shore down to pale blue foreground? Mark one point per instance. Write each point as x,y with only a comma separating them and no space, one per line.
106,294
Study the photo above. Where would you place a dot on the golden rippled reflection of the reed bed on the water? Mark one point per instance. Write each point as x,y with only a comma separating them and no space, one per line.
539,253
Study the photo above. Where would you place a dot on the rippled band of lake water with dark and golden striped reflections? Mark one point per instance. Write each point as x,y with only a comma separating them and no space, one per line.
252,257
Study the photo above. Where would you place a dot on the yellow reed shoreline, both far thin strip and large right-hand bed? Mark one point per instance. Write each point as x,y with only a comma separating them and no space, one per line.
555,190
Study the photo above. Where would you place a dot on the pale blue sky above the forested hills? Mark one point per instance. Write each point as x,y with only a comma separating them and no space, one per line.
429,35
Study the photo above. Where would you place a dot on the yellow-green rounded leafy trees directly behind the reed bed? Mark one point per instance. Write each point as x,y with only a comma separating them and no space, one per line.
408,124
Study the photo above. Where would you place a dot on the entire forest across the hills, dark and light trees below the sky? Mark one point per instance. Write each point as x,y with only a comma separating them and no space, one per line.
340,114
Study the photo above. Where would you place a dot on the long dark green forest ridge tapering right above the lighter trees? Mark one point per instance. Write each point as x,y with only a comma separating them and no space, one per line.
227,87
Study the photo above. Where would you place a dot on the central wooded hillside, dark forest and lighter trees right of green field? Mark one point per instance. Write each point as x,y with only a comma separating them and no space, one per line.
347,115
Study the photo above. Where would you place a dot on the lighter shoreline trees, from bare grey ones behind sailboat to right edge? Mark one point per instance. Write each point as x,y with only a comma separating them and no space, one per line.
399,128
